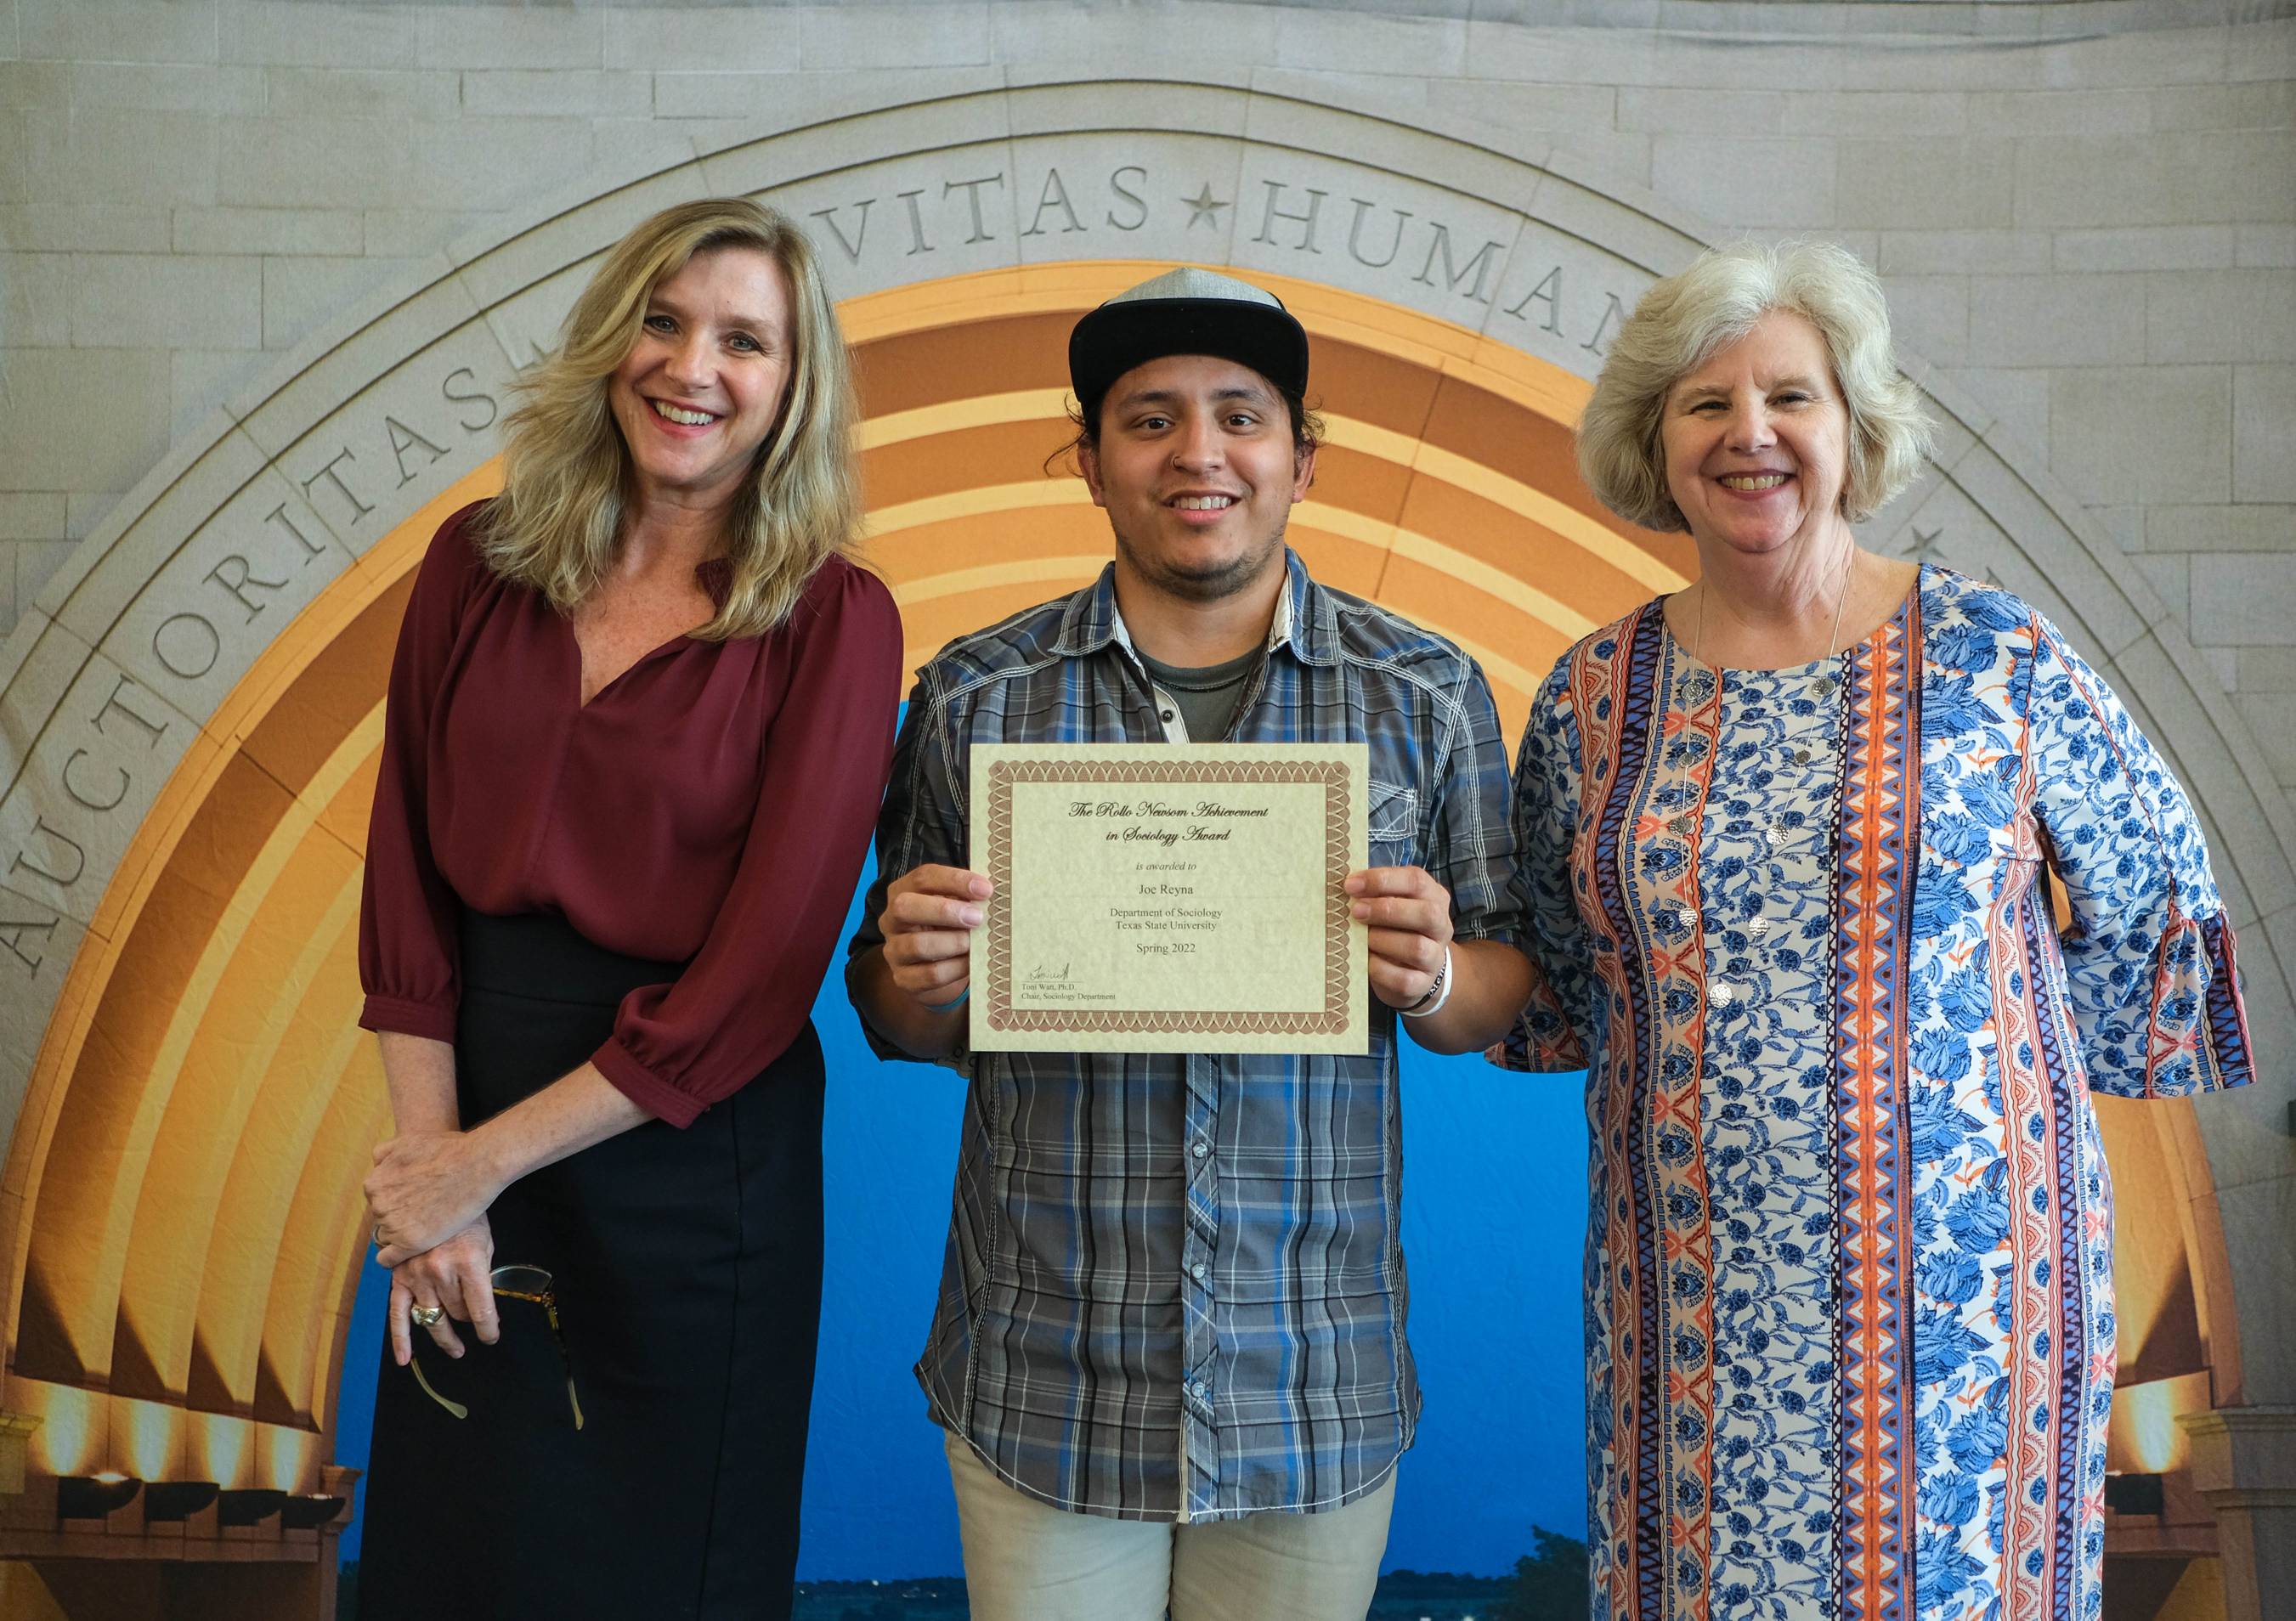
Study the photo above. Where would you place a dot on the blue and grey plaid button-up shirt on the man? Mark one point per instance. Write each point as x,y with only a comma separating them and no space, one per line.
1174,1285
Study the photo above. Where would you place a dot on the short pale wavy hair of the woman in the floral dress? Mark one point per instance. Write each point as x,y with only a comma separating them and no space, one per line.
1686,318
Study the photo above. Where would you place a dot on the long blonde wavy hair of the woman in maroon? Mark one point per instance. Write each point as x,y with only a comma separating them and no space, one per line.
566,470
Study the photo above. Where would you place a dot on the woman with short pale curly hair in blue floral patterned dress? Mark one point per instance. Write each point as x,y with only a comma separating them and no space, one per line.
1792,851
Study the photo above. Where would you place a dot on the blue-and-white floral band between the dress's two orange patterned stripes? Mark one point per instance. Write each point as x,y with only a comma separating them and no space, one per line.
1767,1119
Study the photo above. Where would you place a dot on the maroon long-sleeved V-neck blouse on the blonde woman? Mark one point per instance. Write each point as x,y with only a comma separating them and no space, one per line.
711,807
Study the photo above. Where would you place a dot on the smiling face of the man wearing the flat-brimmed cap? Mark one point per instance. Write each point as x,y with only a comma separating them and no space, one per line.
1197,472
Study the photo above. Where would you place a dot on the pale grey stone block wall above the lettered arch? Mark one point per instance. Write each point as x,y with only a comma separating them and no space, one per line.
2086,212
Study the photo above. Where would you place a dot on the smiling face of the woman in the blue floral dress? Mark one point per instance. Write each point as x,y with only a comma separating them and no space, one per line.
1758,440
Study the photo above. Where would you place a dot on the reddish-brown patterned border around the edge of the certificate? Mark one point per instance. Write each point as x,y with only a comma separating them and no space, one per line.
1337,819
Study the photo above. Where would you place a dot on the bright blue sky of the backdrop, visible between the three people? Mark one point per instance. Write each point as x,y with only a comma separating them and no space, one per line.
1494,1218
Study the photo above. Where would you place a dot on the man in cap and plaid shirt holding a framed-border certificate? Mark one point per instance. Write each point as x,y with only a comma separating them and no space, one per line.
1158,965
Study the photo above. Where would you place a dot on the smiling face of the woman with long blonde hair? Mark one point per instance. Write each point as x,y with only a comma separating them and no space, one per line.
704,385
